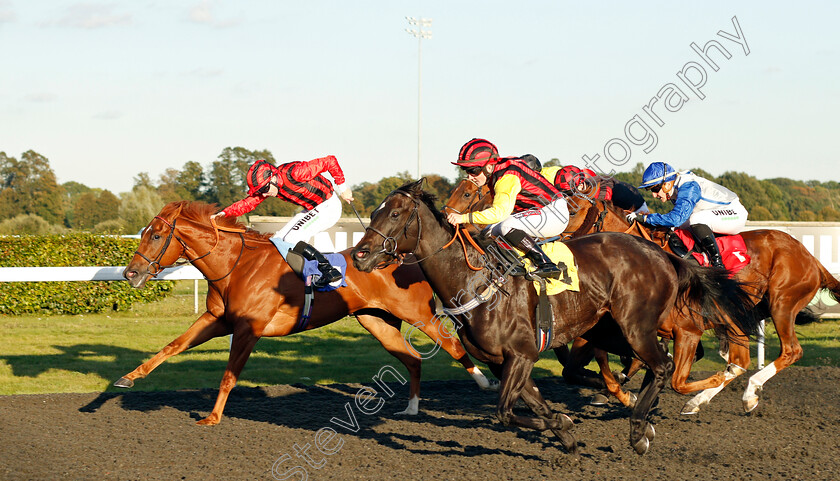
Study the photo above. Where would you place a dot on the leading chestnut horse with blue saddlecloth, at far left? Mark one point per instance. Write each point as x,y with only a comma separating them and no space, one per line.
253,293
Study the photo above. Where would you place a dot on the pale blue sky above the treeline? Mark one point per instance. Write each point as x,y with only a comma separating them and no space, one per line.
106,90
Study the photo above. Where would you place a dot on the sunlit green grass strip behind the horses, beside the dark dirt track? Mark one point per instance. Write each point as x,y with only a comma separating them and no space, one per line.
87,353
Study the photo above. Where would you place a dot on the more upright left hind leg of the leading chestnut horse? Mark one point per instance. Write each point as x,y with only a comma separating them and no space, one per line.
388,334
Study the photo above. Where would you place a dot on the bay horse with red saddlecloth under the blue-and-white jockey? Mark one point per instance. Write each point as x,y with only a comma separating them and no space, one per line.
782,278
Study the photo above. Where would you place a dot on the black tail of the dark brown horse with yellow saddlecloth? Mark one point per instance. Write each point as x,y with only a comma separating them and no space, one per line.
718,298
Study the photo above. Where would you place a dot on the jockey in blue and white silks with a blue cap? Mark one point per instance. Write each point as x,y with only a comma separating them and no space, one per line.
706,208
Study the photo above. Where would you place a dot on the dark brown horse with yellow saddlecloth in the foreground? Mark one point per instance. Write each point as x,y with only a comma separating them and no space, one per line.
635,282
